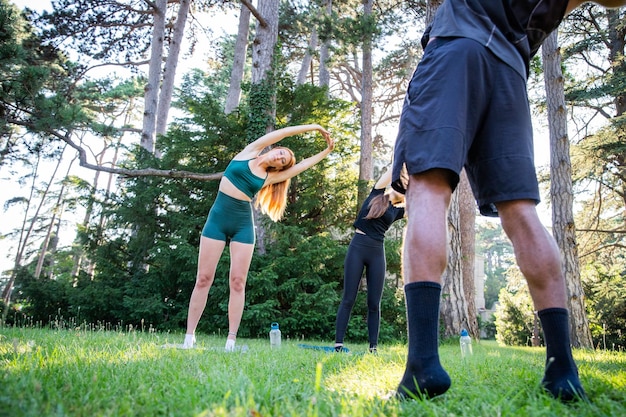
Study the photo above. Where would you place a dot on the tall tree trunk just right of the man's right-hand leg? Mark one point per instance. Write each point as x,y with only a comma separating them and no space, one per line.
561,191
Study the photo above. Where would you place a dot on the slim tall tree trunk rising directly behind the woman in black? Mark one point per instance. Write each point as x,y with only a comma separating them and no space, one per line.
366,165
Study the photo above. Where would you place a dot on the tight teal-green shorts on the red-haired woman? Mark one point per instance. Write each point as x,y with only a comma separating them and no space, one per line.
230,220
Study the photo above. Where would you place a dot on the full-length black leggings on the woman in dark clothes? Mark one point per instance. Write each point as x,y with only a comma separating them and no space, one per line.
369,254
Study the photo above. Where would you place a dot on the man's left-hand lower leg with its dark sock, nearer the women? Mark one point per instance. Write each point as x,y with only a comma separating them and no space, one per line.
424,261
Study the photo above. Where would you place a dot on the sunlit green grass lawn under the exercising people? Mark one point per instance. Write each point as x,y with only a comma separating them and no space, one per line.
108,373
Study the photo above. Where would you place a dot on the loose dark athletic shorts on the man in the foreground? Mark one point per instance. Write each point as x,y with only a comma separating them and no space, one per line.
466,108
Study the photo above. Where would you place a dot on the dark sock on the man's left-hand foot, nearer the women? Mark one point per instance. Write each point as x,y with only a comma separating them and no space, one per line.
424,377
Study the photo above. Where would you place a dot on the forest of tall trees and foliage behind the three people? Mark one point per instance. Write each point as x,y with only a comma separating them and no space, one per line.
87,86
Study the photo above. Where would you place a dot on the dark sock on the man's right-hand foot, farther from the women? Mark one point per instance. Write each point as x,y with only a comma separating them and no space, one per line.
561,374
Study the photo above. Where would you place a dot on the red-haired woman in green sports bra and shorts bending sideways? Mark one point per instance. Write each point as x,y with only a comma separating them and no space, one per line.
230,219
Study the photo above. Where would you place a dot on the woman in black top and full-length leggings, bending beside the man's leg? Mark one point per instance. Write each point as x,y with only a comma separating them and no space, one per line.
367,251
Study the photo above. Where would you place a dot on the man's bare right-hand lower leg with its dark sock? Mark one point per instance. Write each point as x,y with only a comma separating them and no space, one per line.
539,260
